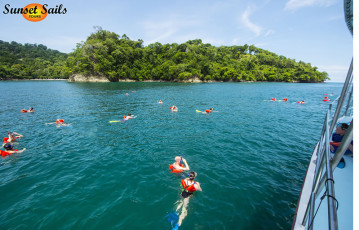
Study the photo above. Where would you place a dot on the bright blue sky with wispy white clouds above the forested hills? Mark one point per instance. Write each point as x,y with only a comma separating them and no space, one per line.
312,31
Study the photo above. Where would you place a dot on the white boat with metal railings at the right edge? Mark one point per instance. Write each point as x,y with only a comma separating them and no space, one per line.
326,198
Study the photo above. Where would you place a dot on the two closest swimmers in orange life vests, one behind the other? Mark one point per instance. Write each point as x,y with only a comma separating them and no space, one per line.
189,186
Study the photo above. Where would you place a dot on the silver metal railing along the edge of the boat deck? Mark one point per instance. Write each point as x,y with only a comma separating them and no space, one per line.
325,164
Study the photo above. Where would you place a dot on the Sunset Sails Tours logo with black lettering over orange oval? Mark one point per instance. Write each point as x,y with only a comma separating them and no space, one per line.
35,12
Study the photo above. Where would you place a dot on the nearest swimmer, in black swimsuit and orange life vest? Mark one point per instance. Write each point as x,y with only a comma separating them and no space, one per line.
189,187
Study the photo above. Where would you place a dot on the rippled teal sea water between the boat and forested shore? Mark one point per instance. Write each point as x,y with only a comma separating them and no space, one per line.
250,154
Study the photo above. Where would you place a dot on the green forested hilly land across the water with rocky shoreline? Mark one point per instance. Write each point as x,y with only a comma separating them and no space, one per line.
109,56
